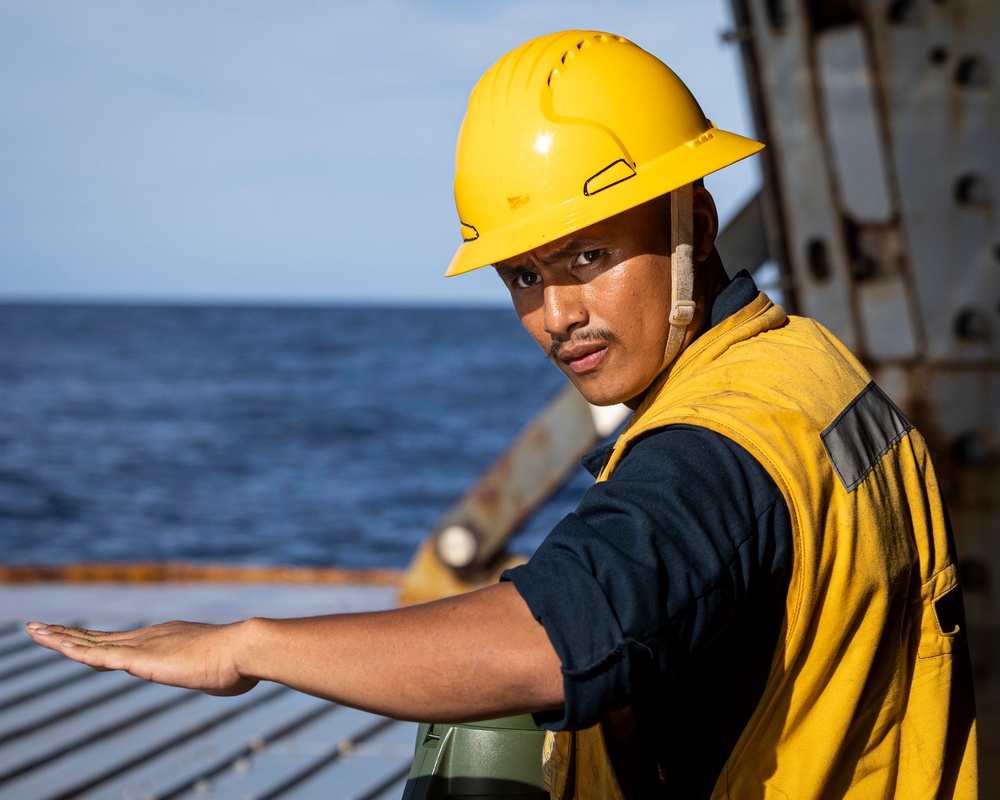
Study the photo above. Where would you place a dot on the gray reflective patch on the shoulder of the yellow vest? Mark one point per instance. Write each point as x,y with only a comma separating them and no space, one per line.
862,434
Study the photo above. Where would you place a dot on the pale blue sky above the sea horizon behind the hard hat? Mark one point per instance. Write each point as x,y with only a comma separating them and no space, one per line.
287,151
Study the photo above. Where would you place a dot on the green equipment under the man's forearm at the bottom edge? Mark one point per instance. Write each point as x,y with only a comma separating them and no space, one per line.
498,758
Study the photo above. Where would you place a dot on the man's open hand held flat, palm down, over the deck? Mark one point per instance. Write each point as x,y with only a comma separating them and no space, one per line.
187,654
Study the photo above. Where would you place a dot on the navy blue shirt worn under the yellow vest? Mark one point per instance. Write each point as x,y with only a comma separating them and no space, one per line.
665,589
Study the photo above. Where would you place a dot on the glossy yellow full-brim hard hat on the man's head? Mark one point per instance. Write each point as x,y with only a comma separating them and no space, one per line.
570,129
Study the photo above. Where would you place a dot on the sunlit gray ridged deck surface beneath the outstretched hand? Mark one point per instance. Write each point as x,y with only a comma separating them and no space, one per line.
67,731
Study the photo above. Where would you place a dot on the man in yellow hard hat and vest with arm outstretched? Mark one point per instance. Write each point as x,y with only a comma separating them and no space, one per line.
758,597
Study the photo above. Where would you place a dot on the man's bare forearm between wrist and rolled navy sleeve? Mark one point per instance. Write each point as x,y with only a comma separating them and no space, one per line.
473,656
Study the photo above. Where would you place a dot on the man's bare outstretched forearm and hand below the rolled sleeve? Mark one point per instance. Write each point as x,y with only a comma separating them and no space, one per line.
473,656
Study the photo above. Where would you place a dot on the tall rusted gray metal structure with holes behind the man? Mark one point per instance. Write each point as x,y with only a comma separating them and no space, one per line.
882,120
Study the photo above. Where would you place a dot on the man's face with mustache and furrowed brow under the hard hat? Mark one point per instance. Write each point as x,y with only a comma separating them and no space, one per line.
598,301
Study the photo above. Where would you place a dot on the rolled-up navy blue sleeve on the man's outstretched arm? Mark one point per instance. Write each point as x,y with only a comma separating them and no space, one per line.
652,566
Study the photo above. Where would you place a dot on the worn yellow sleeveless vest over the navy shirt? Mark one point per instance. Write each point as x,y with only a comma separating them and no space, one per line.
870,690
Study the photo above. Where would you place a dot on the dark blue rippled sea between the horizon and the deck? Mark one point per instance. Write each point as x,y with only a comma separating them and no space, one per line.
312,435
